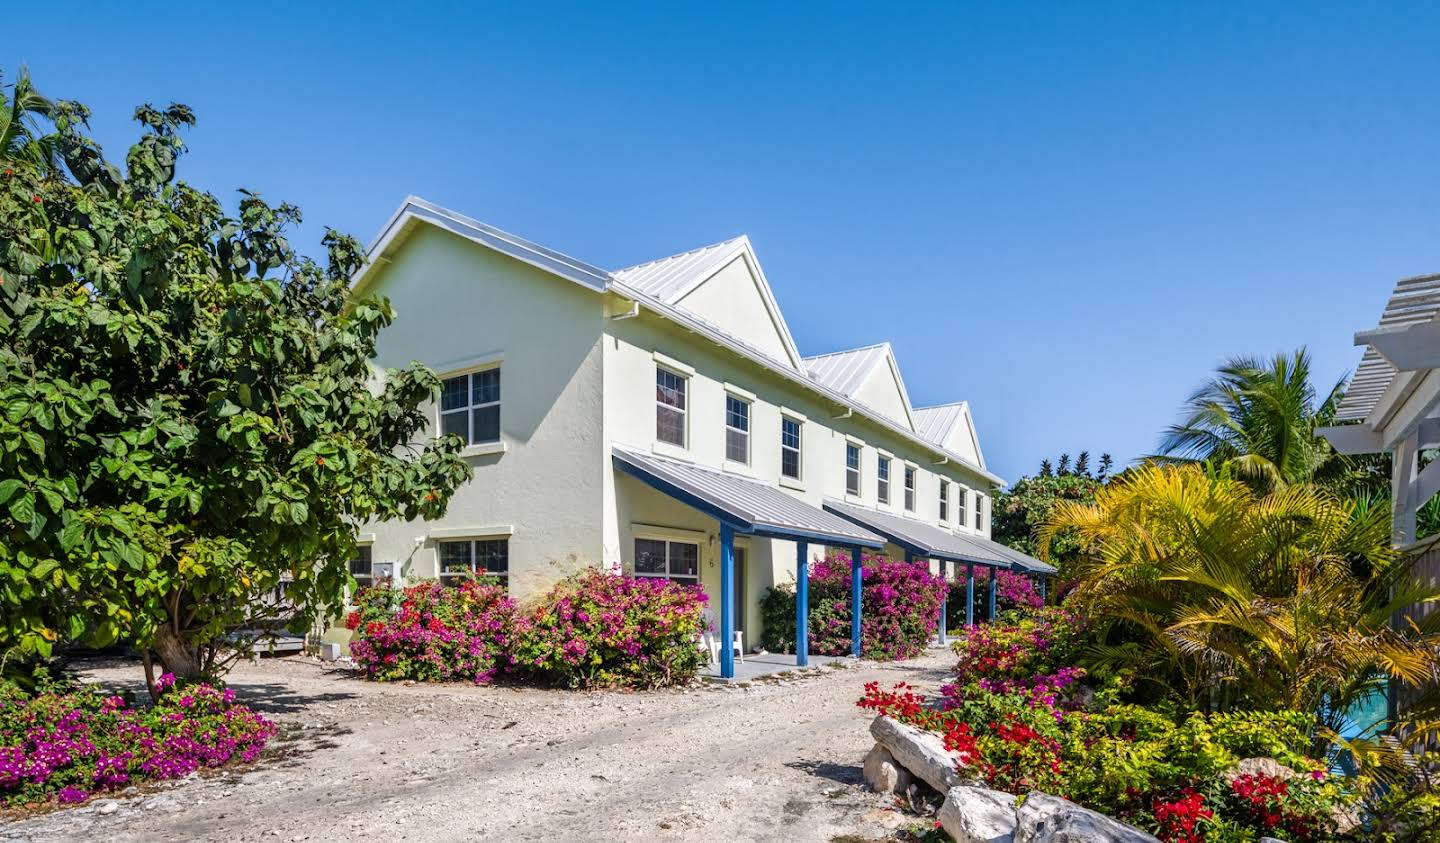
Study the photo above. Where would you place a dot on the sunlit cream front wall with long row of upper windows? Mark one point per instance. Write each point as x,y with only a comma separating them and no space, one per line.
634,348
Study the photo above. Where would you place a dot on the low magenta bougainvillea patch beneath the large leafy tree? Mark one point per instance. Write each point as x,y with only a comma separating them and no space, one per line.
67,744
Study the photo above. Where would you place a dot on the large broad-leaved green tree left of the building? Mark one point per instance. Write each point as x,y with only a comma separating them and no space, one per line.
188,414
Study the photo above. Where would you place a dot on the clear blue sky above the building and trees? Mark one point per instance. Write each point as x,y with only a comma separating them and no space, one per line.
1065,215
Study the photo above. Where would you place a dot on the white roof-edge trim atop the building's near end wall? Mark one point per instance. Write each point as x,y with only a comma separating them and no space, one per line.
417,210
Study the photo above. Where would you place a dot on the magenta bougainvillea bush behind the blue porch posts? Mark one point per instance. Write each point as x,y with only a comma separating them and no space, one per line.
901,609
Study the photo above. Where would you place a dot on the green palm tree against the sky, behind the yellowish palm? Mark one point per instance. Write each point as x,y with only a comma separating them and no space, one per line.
1261,417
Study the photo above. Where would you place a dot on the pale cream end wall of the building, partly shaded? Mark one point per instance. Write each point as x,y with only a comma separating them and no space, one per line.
460,306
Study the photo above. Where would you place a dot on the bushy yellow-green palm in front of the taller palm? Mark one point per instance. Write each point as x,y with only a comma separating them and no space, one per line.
1233,600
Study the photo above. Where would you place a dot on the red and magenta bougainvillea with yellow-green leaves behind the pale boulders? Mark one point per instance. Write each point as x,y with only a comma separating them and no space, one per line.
1019,723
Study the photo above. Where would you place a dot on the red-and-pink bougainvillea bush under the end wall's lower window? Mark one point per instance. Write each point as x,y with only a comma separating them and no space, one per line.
434,633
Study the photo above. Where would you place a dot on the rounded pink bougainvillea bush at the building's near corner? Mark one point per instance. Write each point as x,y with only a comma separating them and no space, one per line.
608,630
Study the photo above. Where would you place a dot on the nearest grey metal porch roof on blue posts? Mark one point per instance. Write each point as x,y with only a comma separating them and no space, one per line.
748,505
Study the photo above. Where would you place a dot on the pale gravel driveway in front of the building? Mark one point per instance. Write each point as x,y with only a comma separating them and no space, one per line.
365,762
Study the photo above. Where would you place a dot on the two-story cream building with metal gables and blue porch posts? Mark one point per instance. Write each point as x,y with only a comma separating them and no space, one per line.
660,420
